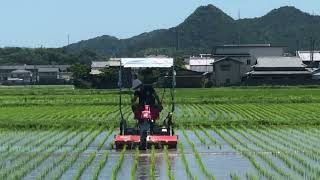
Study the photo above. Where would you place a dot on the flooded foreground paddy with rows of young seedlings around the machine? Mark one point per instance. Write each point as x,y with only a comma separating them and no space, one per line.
75,154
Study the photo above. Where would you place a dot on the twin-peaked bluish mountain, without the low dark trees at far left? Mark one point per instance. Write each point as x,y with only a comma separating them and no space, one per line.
207,27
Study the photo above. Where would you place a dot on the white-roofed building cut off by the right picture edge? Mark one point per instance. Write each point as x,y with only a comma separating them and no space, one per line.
310,58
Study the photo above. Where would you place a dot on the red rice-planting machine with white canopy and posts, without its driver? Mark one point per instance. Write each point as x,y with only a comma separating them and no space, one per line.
147,131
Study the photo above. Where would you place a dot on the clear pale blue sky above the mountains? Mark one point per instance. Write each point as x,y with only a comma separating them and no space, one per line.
49,23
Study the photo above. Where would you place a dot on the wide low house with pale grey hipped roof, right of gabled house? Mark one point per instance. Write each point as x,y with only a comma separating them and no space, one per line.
279,70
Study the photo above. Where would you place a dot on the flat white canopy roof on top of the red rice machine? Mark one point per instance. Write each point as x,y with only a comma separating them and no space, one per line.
147,62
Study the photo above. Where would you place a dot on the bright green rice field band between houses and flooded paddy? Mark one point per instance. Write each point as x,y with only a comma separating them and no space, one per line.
63,106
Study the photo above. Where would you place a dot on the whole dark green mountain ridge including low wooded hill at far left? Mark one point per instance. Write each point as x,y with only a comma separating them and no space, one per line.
205,28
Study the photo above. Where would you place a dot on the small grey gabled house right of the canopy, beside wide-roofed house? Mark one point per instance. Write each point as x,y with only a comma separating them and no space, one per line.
226,71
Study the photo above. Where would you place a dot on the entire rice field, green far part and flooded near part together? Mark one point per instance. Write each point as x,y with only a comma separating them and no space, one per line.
58,132
